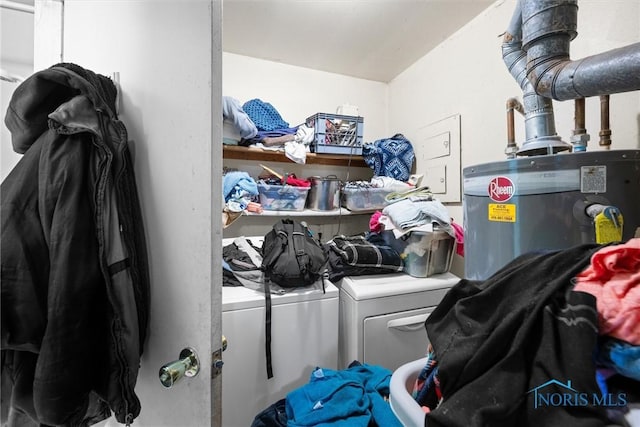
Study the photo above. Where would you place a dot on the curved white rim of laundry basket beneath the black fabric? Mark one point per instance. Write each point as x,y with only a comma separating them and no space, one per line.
403,405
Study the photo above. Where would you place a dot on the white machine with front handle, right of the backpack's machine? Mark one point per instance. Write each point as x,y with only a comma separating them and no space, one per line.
382,317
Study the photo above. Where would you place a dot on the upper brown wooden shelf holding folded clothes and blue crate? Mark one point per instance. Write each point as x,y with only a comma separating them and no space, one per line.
251,153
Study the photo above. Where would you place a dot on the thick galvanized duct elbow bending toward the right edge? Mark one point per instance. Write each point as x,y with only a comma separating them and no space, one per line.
548,26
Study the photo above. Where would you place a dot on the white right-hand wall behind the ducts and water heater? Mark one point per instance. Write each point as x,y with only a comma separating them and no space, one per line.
466,75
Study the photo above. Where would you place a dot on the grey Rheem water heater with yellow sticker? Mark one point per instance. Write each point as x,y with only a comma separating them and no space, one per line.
539,203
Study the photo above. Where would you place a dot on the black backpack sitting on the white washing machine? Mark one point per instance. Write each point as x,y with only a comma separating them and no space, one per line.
291,256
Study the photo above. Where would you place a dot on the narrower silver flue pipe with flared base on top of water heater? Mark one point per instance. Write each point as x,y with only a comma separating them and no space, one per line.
540,128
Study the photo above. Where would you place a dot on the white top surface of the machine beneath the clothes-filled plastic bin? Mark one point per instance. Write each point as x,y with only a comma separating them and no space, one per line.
382,285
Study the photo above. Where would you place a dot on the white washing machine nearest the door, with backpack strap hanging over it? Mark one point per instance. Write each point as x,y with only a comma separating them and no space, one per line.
304,335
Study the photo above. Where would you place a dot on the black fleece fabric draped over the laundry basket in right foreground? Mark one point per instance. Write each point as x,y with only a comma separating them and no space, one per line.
500,339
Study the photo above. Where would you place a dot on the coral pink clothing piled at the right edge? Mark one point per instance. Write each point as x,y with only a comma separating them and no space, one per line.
614,279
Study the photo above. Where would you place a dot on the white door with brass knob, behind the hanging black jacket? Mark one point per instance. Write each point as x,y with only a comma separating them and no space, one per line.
167,57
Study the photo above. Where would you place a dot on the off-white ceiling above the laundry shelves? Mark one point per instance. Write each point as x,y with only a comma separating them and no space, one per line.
369,39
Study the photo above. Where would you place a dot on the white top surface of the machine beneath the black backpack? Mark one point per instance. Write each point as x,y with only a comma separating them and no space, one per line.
239,297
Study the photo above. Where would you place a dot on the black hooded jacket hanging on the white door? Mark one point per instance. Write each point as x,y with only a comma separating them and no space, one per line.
75,284
